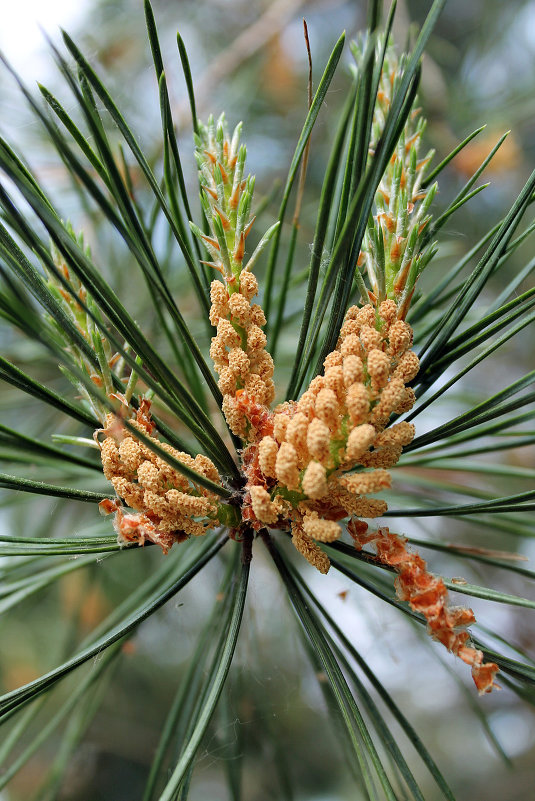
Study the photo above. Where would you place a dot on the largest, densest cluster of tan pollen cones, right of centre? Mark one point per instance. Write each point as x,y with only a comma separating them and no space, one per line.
318,459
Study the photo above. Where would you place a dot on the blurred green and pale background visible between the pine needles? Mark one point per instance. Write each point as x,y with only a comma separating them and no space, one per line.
248,59
